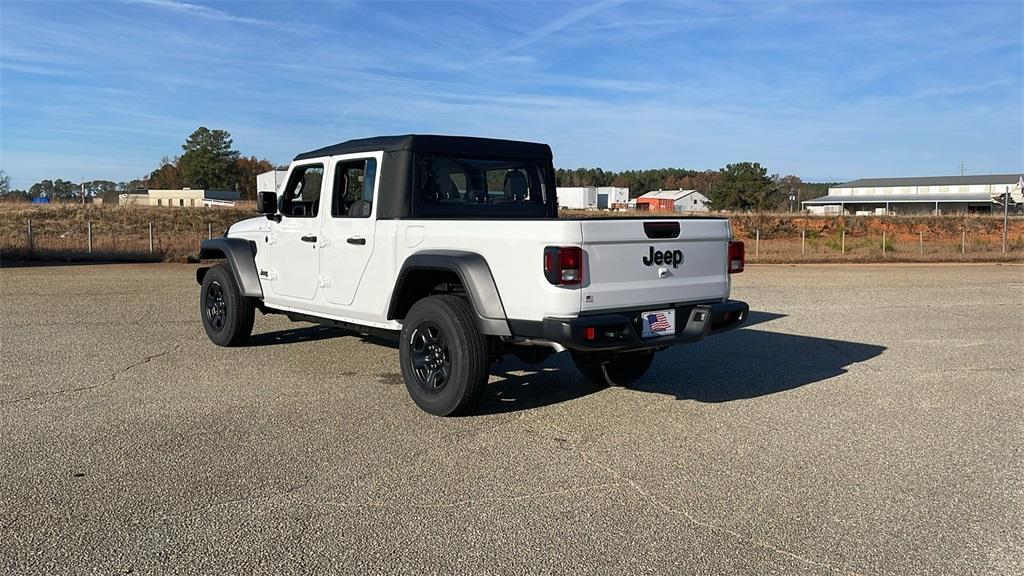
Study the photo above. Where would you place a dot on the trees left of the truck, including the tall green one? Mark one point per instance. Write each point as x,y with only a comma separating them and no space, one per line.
208,162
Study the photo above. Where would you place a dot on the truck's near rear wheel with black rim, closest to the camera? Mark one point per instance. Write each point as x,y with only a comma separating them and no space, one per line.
444,356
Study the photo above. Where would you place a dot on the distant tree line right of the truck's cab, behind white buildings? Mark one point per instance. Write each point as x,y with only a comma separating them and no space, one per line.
742,187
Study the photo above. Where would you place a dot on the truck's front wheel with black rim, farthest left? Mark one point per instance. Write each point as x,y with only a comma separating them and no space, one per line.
228,316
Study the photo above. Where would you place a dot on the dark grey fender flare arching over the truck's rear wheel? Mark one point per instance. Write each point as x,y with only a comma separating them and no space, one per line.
476,276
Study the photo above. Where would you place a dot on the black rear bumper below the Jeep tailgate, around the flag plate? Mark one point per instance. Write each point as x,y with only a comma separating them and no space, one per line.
619,332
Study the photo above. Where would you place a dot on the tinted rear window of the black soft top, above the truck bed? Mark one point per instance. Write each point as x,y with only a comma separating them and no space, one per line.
452,186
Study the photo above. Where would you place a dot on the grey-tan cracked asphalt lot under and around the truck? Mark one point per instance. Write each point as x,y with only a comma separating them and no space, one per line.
870,422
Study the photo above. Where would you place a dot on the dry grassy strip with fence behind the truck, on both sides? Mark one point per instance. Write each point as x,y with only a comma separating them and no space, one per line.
122,233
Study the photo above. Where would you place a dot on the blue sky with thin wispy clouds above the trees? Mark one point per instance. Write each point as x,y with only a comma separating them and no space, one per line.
826,91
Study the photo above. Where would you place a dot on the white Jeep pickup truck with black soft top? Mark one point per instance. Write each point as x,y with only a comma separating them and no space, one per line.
455,246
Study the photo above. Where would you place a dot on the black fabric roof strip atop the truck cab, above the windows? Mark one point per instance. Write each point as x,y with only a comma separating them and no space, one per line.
436,145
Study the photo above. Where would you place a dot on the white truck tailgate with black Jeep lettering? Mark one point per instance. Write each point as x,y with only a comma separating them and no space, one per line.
626,268
